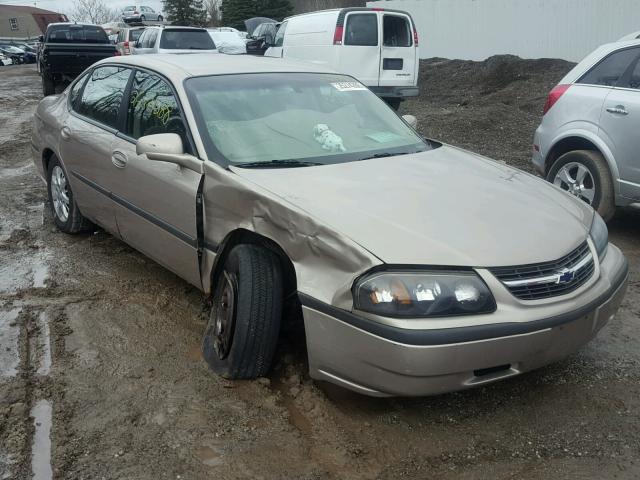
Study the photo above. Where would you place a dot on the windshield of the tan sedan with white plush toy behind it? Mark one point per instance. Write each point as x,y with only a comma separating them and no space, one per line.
296,117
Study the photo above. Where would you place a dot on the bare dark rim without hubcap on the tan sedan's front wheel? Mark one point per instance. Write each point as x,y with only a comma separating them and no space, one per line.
223,316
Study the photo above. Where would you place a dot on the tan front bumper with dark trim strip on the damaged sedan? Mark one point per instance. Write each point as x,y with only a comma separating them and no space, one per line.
403,362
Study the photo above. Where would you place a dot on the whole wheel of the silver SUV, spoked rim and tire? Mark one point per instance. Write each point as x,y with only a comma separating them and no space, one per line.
585,174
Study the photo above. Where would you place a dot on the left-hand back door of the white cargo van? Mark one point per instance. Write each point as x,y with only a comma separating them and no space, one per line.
360,51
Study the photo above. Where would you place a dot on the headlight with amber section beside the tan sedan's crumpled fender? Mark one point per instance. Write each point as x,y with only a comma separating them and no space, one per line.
423,294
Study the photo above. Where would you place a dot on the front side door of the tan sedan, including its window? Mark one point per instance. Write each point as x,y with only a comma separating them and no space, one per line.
156,201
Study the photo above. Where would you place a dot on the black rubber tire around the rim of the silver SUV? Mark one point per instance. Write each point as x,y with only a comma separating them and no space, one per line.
594,162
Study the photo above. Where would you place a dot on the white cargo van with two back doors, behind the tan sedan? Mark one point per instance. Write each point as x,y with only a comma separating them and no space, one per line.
377,46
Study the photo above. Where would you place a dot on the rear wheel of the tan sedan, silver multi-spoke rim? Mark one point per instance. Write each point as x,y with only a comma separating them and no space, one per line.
66,214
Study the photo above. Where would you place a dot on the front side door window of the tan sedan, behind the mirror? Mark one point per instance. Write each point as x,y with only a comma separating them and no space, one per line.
153,108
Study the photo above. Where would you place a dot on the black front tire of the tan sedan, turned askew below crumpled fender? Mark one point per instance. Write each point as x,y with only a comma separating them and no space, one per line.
256,312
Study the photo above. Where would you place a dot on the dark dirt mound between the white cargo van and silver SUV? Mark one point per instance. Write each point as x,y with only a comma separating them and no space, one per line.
492,107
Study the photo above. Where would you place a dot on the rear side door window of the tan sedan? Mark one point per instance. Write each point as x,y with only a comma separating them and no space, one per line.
103,94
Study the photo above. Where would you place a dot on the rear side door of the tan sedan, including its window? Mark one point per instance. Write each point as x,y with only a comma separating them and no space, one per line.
87,140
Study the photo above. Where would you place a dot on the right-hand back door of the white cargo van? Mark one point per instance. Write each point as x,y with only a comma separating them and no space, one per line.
398,59
